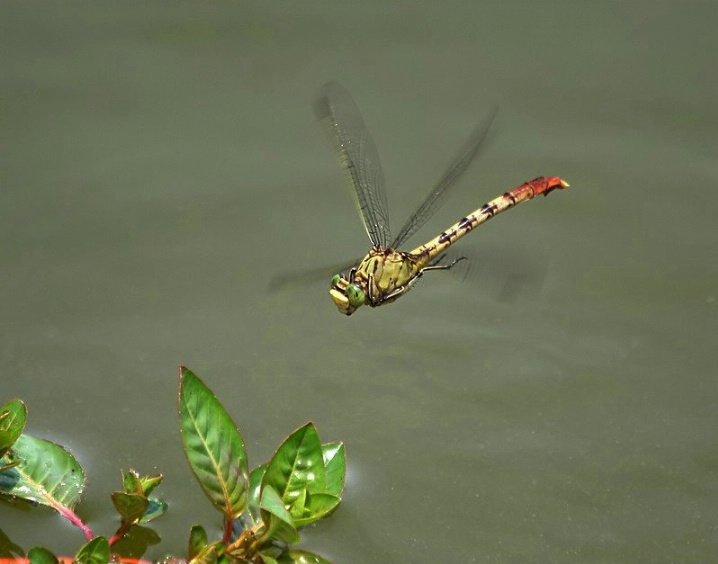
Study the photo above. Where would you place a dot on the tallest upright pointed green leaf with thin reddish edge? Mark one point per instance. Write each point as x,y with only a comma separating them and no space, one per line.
213,446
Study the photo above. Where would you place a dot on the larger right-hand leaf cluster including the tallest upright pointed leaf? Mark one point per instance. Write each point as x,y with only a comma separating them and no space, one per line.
262,509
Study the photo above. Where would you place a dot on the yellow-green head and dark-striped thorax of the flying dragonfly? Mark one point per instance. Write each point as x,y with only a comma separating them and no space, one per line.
380,277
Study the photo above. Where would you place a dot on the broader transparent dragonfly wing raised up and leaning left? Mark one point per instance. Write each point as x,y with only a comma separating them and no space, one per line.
358,155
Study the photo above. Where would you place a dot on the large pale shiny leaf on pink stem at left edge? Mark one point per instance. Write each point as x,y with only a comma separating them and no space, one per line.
47,474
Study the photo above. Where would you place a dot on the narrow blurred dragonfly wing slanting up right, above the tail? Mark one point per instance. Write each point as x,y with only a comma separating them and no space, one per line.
435,198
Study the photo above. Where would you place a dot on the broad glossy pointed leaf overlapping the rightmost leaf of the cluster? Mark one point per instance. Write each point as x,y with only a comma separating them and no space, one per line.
297,466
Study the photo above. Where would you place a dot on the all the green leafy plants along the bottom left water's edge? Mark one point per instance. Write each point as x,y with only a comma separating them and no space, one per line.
262,509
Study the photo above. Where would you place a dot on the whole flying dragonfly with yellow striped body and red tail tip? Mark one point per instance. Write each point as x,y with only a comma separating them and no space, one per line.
385,273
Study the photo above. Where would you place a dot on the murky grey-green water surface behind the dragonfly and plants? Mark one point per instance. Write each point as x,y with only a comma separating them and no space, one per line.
160,165
